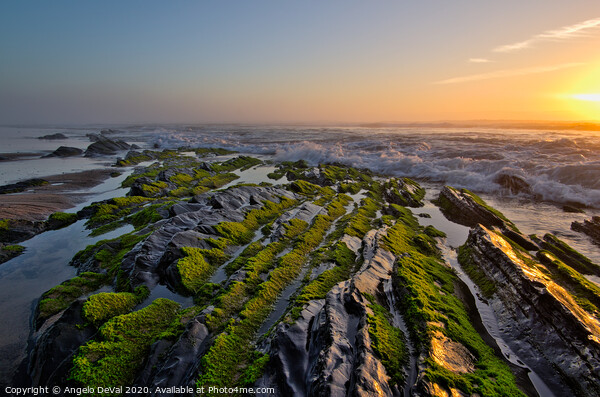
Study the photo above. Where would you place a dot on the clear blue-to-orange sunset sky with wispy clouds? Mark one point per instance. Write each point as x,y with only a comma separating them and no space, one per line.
298,61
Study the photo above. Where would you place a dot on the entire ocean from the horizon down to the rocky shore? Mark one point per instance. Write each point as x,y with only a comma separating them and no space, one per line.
552,168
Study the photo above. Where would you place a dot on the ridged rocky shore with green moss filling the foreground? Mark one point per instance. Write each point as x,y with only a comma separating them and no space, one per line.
329,286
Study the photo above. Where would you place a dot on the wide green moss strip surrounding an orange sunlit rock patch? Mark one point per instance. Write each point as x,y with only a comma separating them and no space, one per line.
428,301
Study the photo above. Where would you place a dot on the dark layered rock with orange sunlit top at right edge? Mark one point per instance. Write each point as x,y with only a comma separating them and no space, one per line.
537,311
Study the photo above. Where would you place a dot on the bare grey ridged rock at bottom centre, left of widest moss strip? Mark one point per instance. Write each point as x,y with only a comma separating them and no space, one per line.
330,344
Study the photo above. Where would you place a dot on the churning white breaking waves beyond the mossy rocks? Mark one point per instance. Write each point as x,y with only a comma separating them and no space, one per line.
558,166
